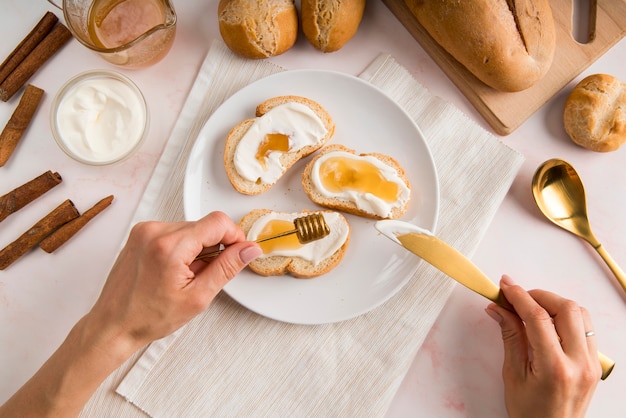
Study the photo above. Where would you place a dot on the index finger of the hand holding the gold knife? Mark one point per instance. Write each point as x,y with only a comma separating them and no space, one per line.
540,330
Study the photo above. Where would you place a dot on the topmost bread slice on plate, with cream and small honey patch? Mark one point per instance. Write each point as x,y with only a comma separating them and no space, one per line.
260,150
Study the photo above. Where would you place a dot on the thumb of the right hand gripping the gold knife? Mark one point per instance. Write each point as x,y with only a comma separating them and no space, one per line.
513,337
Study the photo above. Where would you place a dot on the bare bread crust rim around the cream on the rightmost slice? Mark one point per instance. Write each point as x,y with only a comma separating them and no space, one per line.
346,205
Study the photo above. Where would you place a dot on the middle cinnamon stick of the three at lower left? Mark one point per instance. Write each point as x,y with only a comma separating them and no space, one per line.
64,213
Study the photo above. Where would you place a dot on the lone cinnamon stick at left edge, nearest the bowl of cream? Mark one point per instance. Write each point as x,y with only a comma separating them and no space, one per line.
19,121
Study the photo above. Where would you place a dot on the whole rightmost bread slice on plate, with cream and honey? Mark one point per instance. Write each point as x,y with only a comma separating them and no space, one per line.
368,185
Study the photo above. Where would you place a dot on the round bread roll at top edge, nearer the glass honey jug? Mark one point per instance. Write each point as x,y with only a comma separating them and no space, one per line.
258,29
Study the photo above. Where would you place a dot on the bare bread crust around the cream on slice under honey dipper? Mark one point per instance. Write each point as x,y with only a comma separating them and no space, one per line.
295,266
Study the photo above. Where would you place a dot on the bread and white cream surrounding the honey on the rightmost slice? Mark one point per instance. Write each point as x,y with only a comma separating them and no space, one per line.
354,201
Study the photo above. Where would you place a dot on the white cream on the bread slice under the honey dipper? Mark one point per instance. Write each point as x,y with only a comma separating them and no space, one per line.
314,251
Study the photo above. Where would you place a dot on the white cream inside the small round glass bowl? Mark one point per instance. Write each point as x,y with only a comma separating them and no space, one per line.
101,119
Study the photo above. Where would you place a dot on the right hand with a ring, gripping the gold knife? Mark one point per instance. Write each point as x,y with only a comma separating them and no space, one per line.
551,368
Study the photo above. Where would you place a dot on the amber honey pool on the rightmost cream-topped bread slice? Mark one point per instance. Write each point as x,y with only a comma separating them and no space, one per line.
340,173
